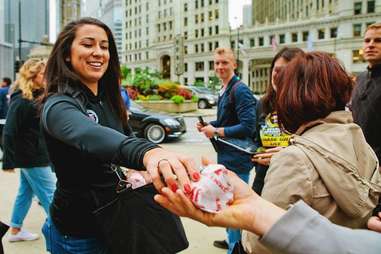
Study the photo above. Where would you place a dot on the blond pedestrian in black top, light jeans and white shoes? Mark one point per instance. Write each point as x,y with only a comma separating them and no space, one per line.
24,148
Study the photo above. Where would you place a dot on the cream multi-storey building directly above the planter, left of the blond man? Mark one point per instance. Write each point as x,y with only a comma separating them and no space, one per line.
176,37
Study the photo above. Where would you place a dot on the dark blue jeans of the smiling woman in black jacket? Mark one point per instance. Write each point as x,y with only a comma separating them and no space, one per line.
57,243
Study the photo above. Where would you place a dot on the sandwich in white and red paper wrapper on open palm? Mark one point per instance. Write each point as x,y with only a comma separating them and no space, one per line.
212,192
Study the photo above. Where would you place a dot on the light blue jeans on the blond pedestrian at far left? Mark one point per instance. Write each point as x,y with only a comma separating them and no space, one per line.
39,181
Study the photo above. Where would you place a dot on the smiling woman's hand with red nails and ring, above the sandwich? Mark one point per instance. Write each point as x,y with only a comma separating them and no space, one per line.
170,169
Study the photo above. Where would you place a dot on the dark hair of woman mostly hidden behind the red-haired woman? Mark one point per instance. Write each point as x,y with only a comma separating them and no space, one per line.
268,100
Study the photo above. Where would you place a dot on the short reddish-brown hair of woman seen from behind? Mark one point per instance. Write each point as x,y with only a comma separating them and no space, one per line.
310,88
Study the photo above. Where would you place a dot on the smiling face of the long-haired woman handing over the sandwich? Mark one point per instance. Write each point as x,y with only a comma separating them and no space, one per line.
89,54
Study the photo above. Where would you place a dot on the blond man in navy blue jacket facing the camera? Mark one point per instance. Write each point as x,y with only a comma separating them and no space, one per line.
236,111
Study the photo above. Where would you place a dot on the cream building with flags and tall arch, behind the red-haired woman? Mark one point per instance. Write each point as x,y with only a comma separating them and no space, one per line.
333,26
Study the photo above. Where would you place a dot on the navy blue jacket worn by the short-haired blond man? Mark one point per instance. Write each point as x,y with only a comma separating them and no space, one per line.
236,113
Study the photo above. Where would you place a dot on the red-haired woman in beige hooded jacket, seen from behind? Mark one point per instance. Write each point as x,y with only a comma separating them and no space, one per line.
328,163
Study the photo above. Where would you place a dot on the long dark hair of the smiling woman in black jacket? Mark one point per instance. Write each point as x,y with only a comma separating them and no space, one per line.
61,77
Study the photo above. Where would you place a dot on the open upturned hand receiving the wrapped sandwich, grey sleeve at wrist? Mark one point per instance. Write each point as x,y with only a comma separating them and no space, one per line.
247,211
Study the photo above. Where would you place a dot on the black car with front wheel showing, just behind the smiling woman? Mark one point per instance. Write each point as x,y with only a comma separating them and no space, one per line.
156,127
